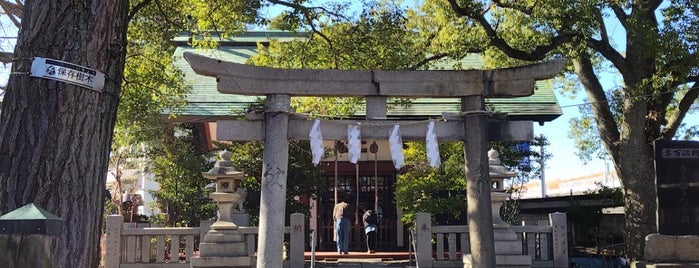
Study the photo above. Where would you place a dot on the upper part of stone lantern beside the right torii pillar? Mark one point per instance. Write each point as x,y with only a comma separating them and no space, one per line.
498,173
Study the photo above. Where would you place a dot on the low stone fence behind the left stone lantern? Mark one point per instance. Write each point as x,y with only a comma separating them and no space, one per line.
173,247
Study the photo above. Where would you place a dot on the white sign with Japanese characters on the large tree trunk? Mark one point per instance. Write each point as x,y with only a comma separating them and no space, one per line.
67,72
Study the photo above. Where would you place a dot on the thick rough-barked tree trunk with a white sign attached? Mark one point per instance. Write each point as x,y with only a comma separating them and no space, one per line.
55,137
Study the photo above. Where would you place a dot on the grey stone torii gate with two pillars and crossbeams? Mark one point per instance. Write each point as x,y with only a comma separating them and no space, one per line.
279,85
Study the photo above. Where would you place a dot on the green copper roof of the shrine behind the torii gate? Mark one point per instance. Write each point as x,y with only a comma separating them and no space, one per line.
206,104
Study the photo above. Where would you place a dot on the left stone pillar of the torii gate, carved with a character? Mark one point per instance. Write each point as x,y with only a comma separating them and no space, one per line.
274,171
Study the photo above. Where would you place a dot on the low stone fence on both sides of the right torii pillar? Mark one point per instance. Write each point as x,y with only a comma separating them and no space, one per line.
444,246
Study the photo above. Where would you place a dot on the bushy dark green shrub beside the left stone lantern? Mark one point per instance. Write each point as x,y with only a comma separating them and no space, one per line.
183,192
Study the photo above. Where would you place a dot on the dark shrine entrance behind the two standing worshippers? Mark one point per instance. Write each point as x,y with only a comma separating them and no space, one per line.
360,188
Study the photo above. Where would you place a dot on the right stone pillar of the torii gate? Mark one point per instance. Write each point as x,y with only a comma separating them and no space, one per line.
480,222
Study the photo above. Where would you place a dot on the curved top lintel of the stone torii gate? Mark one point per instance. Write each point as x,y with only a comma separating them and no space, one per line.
242,79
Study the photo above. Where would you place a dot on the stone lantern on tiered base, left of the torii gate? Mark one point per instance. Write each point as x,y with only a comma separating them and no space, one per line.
224,245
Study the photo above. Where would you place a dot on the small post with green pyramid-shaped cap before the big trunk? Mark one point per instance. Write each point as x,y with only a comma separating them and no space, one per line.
30,237
